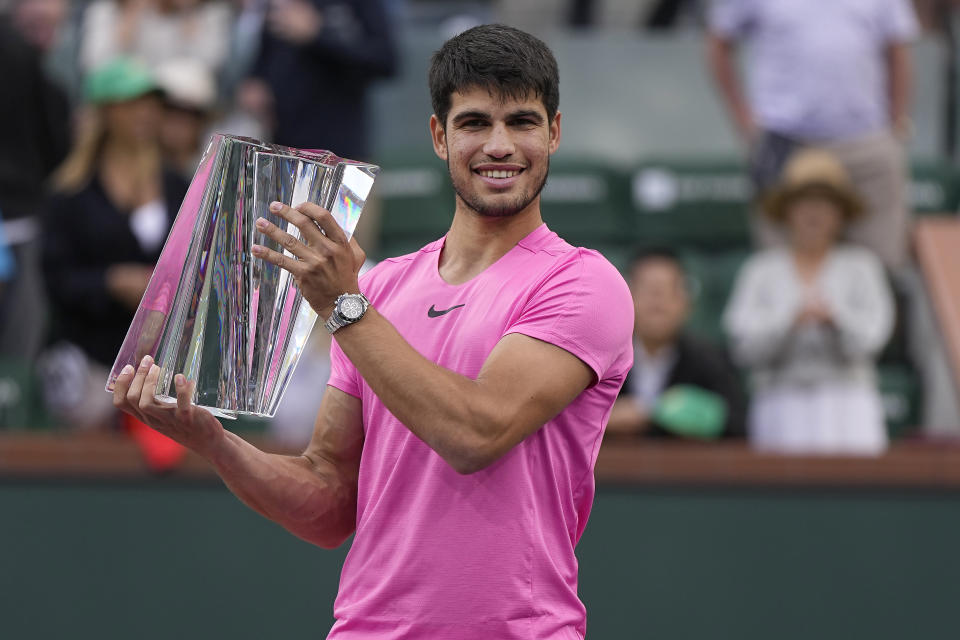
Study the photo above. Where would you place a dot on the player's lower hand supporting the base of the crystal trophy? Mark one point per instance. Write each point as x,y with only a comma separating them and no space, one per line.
188,424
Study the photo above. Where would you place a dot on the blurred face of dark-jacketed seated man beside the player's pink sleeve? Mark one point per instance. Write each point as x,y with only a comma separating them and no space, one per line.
660,300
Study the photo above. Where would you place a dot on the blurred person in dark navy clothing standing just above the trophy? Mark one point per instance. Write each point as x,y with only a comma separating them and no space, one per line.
316,61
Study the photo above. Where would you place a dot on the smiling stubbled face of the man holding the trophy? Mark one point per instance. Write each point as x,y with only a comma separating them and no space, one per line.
497,150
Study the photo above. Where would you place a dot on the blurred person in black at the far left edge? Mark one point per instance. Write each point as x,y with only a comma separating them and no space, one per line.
34,137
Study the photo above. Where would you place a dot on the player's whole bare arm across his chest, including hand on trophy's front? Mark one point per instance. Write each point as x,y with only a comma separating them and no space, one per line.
470,423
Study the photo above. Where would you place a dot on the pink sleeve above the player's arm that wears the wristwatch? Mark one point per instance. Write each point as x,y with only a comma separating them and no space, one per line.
585,308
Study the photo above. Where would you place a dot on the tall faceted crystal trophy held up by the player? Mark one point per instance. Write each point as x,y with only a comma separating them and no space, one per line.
235,324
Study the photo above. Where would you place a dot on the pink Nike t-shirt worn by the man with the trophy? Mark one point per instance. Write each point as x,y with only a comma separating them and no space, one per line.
441,555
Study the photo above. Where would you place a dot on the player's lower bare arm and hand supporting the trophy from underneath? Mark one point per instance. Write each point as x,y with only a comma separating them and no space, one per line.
314,495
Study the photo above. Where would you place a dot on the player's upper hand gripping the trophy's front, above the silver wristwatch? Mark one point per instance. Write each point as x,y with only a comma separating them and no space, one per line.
324,264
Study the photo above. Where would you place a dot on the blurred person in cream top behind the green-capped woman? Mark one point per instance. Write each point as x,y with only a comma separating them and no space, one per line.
153,31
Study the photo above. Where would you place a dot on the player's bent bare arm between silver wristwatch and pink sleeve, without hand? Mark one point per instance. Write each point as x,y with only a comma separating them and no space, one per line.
470,423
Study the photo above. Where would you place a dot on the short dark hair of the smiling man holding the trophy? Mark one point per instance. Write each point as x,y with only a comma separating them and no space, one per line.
506,61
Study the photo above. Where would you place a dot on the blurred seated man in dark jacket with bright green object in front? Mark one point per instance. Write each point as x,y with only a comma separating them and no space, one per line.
678,385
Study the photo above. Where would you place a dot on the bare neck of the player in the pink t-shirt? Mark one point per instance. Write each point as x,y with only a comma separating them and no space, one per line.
475,242
